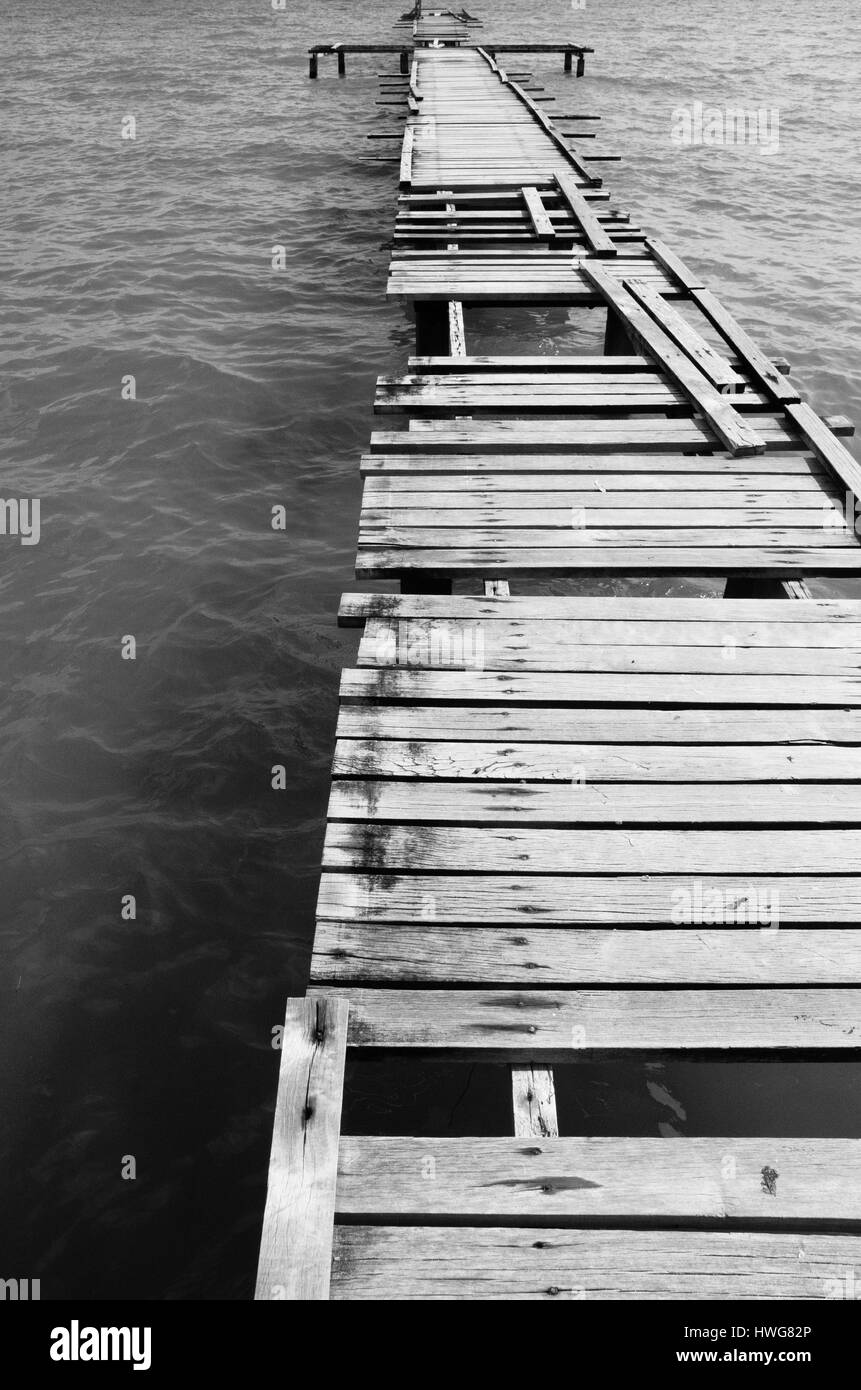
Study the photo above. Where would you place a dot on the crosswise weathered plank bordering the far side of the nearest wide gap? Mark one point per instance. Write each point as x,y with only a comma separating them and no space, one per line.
564,1025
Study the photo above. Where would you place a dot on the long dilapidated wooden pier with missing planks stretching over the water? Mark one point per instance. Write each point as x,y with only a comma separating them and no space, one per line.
567,829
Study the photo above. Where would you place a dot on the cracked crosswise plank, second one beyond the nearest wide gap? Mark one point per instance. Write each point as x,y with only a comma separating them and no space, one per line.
430,954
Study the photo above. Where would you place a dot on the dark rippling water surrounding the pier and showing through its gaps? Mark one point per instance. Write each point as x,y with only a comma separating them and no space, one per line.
151,778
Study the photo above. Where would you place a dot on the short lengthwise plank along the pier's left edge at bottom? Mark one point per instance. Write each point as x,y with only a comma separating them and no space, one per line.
296,1252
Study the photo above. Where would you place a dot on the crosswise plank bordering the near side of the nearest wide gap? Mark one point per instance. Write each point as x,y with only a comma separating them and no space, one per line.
503,1181
